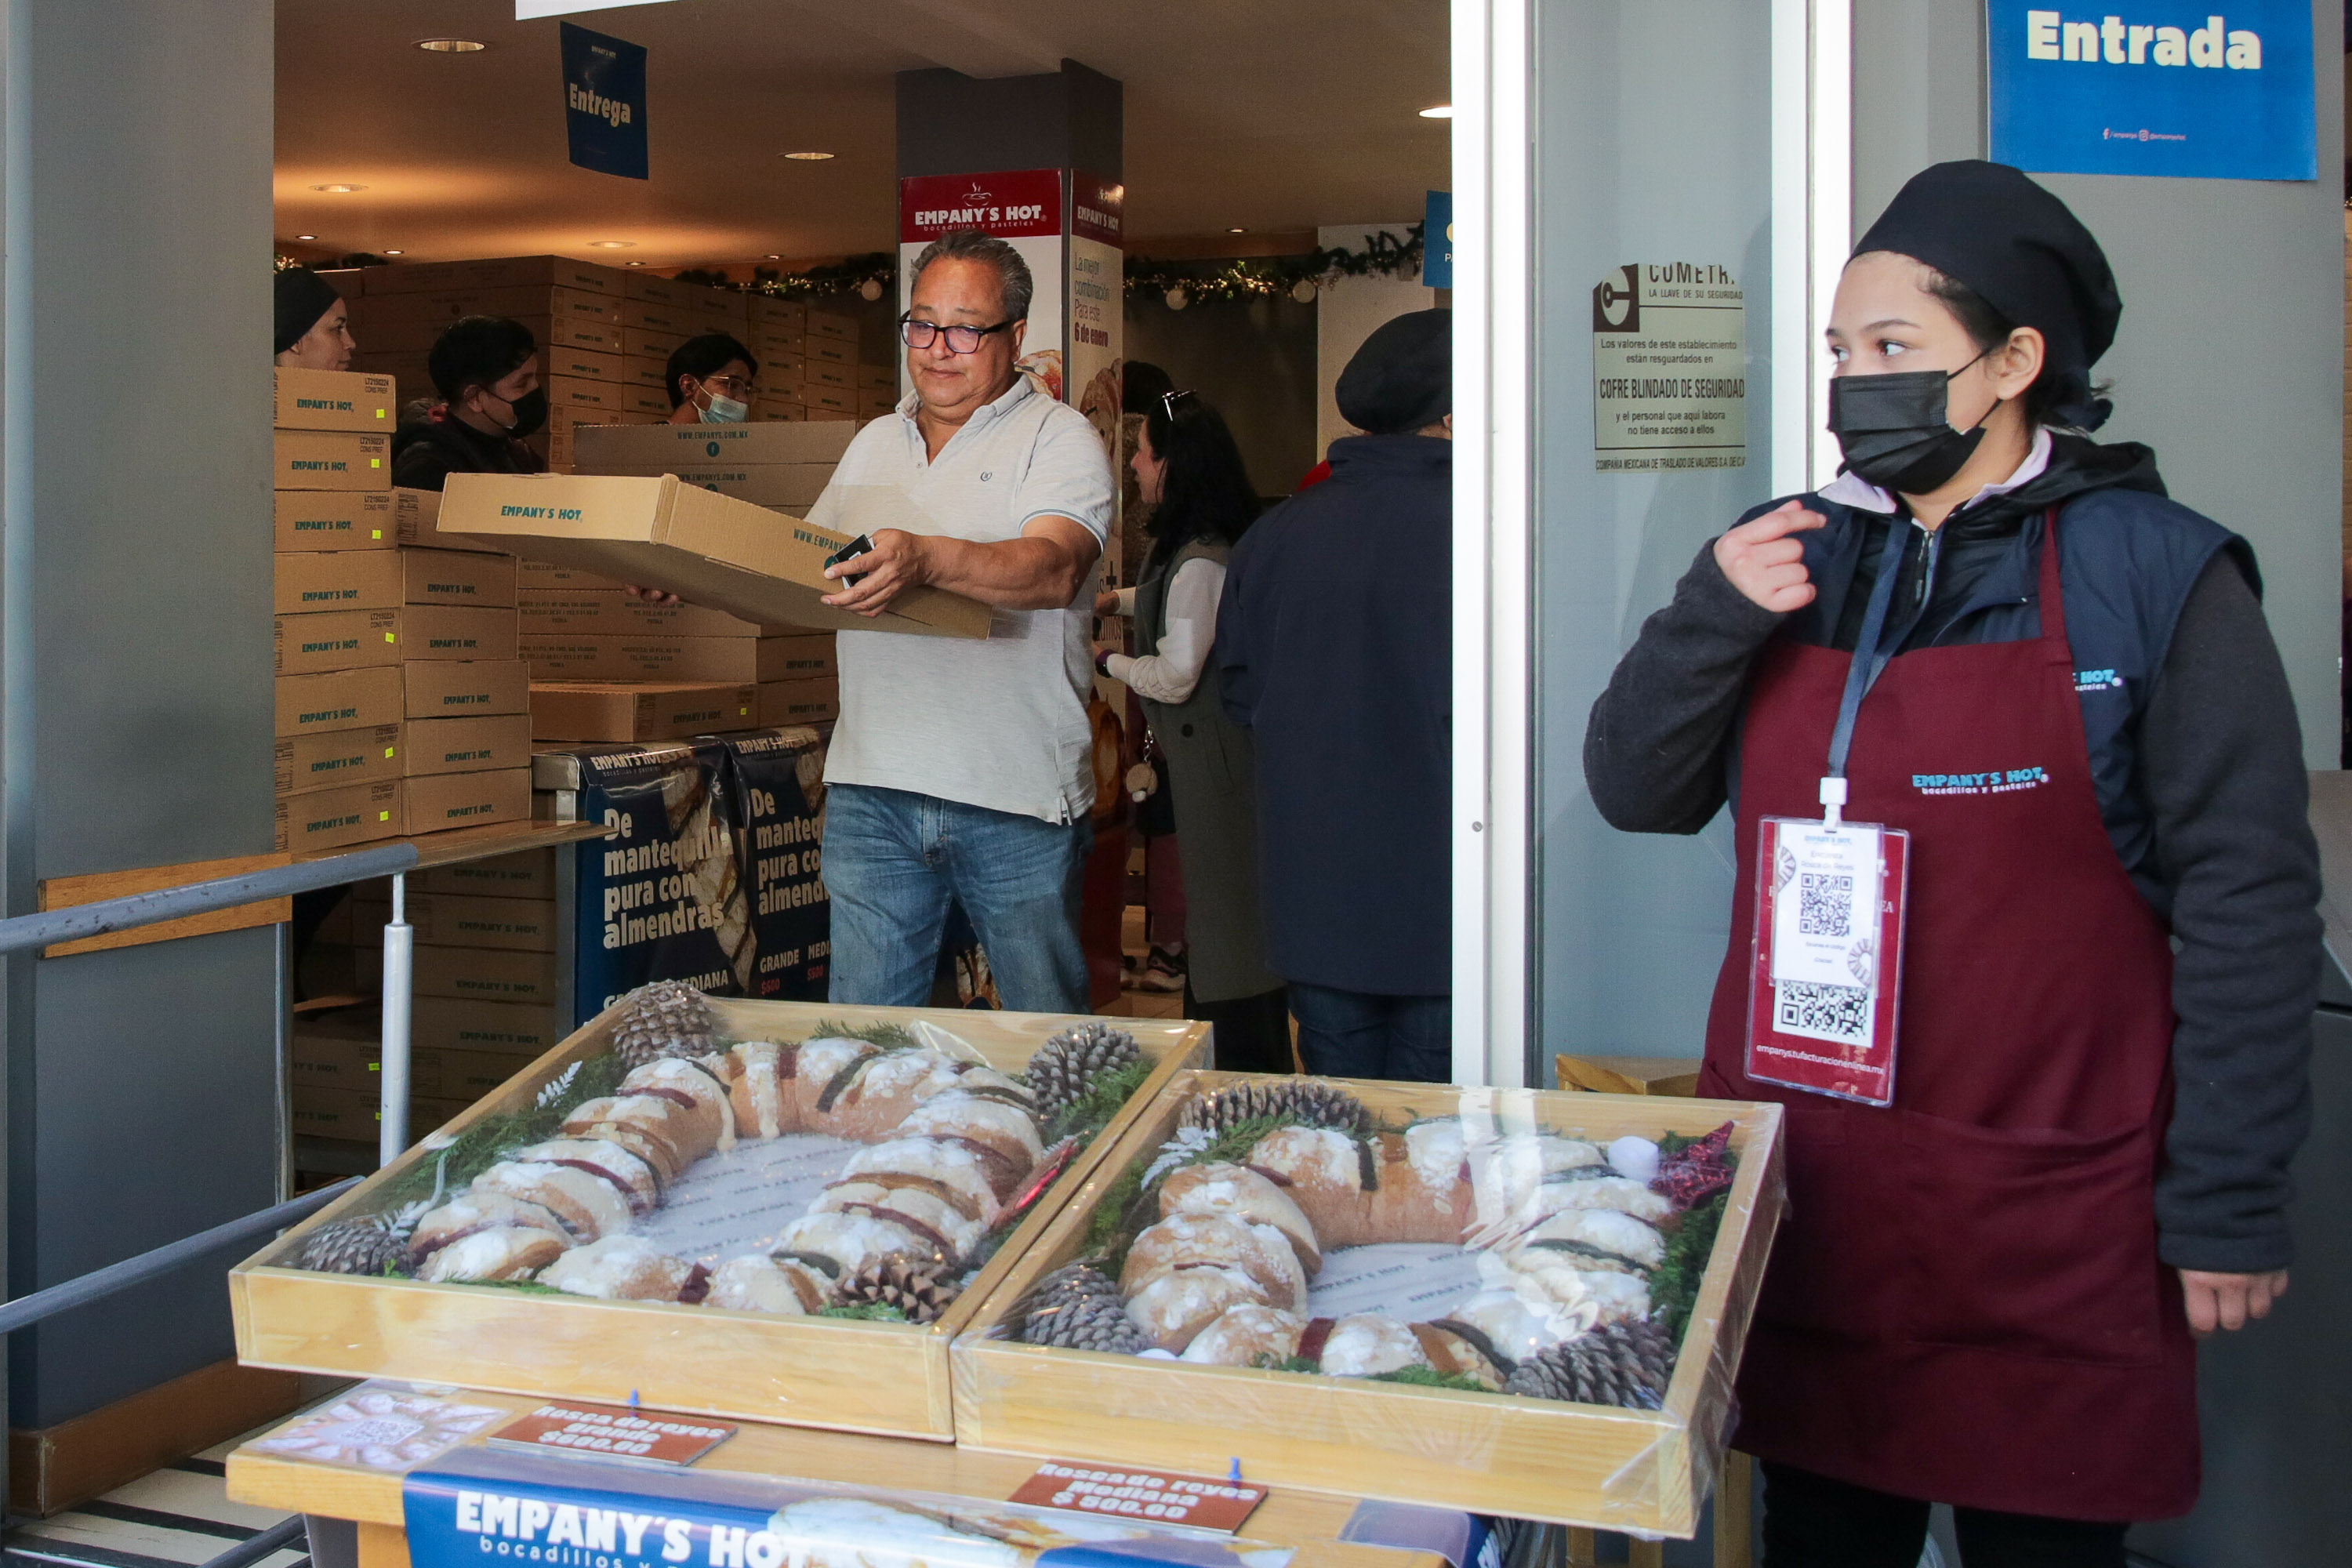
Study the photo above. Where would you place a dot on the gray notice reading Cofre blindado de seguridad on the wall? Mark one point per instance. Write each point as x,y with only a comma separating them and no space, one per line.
1669,368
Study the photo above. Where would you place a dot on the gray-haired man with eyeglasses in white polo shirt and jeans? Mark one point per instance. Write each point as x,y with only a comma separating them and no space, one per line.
963,770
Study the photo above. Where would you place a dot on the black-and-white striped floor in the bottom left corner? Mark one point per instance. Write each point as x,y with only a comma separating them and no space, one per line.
175,1517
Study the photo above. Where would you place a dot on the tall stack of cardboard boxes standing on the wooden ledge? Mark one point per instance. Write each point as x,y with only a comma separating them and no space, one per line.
401,697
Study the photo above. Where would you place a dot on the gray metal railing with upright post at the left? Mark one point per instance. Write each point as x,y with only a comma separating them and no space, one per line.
48,927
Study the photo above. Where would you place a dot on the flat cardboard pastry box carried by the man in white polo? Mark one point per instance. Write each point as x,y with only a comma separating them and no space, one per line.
702,547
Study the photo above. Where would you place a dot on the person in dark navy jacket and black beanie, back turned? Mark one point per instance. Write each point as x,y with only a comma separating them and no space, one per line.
1335,641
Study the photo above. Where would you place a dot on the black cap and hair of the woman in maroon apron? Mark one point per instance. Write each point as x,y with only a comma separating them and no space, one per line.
2026,255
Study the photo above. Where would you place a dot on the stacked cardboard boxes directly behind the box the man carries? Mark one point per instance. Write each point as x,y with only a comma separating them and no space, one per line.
608,666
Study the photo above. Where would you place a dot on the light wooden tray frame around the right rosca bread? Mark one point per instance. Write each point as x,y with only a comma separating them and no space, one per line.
1490,1454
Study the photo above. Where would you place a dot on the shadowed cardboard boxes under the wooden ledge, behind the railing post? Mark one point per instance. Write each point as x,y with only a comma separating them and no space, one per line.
486,1003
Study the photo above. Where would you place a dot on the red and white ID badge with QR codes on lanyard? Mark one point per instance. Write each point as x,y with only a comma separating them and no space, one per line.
1826,974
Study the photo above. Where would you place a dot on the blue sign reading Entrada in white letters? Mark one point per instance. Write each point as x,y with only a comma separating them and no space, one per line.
2189,91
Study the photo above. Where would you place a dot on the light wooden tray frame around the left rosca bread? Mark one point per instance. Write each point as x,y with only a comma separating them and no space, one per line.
846,1374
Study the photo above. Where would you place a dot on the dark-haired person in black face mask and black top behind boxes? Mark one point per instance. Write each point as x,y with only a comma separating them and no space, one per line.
488,373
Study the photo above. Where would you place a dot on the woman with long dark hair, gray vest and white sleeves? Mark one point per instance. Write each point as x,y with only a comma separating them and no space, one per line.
1191,471
